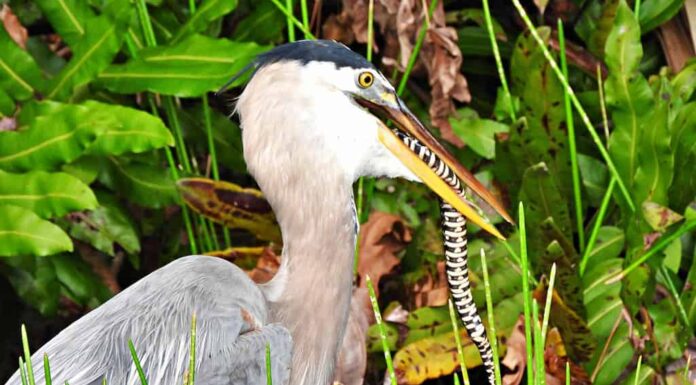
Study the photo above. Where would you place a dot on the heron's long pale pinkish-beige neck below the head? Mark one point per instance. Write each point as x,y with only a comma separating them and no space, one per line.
312,291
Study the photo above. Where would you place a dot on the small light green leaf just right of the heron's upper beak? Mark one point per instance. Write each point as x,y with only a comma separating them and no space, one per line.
479,134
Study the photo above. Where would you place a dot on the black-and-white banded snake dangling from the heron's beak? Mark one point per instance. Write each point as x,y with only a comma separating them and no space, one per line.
456,266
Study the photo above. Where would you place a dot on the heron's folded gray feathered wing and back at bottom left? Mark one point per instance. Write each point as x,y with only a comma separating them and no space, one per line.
155,313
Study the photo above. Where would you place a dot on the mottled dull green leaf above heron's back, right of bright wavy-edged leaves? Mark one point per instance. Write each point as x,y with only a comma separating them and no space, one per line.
105,226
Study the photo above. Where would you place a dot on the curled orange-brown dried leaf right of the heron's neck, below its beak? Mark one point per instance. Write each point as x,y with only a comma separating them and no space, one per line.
381,238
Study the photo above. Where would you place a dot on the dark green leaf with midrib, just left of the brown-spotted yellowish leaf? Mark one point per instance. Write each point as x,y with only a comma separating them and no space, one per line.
143,184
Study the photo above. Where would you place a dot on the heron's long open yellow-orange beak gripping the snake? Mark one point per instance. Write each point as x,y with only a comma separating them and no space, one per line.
408,124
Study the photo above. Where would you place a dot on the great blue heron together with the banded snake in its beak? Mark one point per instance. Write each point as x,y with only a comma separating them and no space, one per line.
309,131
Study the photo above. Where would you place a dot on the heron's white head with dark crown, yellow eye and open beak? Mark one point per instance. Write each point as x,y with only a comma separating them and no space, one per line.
316,106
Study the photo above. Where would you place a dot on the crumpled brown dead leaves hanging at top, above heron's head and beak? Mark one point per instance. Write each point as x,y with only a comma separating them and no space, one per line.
399,23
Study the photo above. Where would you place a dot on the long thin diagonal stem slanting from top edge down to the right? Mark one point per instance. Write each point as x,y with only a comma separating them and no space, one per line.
576,102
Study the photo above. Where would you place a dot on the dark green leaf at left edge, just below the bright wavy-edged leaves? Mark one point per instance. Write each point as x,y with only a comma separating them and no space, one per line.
34,280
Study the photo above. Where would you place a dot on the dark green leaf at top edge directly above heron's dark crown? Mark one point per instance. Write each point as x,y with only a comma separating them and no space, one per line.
264,25
